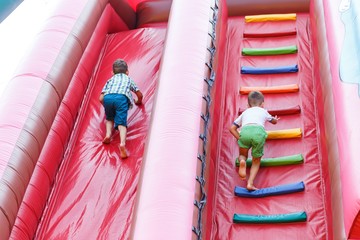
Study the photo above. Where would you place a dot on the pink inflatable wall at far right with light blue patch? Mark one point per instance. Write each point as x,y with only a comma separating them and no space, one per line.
341,21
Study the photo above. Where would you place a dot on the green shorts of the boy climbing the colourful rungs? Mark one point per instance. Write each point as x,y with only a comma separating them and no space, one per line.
253,136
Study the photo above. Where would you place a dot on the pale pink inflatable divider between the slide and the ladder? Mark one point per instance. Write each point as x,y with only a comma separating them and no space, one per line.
165,205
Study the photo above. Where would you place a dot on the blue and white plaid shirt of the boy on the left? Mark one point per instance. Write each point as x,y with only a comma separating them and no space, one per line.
121,84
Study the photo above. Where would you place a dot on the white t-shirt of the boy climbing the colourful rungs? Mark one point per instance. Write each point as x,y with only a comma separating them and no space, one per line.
253,115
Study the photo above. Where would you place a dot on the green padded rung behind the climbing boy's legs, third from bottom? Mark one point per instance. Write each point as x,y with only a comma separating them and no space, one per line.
279,161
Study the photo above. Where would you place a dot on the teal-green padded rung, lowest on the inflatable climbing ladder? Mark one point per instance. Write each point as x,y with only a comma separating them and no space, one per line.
277,218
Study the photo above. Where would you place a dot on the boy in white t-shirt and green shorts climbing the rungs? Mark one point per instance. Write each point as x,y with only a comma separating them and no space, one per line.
252,135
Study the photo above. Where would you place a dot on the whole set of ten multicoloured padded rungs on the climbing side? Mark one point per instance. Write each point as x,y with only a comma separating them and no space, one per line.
249,52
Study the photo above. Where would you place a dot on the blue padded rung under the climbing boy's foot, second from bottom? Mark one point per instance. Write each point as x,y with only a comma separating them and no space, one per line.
270,191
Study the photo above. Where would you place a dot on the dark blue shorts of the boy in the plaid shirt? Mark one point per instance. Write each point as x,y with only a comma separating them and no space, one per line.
116,109
